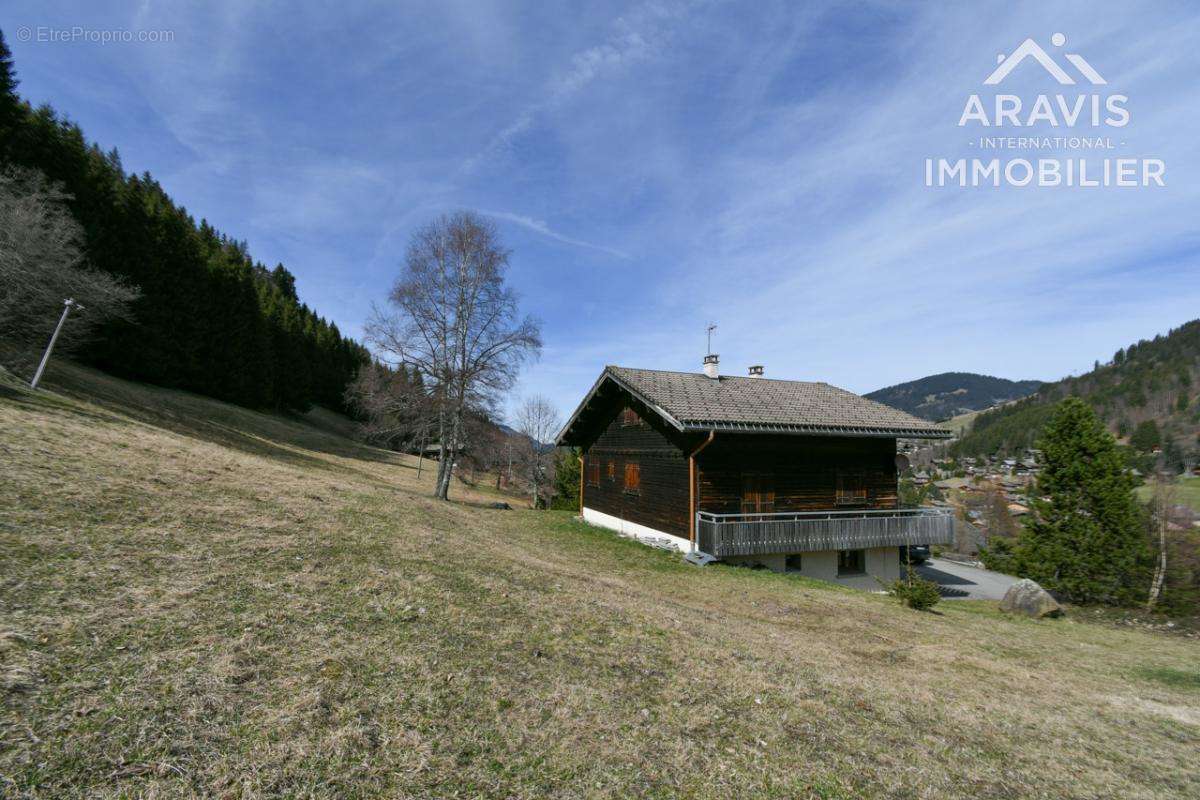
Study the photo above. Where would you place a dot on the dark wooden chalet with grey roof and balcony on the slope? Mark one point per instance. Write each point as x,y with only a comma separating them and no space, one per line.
790,476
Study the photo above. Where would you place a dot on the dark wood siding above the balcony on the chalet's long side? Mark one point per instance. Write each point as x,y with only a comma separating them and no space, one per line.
803,472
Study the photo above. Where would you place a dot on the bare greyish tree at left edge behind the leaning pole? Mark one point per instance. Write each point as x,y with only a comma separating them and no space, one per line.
41,266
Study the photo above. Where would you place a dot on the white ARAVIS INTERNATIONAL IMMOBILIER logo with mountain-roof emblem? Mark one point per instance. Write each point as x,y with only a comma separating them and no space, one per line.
1063,140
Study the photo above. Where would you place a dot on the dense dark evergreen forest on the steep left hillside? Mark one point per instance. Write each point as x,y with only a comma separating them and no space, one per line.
211,318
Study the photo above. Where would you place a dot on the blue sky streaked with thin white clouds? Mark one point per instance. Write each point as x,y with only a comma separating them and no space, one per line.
656,166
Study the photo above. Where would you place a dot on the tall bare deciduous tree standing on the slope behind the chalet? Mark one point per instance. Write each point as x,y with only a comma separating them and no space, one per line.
453,318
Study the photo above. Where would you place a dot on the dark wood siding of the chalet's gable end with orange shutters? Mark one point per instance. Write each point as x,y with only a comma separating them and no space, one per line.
662,497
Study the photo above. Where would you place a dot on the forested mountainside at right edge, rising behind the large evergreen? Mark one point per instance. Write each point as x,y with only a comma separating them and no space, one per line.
1147,394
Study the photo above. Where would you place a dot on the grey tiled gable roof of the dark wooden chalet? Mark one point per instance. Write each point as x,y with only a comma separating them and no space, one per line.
695,402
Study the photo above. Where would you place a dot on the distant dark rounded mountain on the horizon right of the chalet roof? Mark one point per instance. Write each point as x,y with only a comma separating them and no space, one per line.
951,394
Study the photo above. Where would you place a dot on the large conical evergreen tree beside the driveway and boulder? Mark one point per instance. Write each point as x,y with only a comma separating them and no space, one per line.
1088,536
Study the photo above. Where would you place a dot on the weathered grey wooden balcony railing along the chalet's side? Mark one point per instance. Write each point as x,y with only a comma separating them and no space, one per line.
802,532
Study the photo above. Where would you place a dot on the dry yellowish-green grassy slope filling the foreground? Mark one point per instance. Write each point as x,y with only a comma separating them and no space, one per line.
199,600
